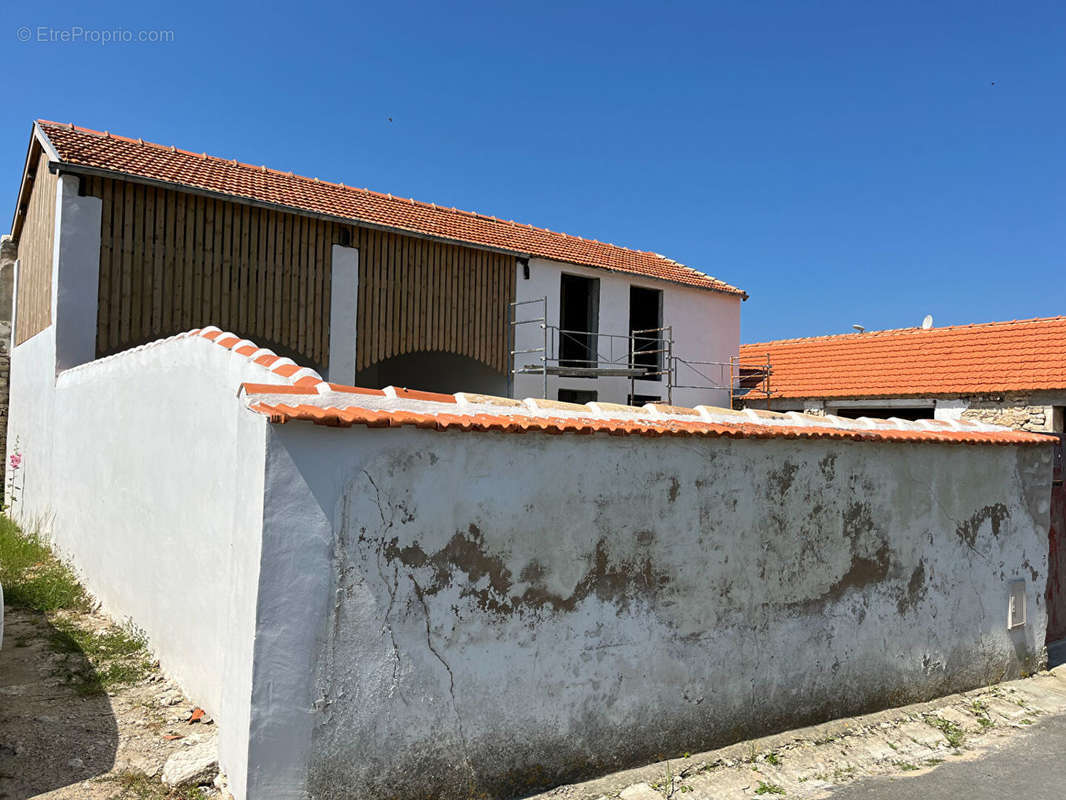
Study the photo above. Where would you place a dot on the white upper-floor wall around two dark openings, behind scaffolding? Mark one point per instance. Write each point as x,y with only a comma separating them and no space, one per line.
706,328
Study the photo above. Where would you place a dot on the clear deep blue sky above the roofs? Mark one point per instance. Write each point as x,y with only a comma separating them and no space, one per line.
844,163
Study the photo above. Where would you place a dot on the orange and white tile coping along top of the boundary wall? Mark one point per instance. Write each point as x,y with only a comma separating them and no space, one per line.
301,394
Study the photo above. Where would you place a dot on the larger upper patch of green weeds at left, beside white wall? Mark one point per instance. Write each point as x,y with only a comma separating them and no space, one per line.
33,577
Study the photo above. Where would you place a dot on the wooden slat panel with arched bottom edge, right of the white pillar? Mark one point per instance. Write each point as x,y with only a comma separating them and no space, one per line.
421,296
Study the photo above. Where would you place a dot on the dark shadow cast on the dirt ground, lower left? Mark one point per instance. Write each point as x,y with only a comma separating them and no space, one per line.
57,725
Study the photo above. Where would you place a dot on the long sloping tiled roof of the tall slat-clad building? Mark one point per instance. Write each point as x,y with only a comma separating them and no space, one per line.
135,157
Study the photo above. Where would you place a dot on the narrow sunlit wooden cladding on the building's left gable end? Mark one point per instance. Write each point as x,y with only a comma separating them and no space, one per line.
34,308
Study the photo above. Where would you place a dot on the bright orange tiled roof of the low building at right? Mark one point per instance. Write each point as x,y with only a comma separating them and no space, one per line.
1020,356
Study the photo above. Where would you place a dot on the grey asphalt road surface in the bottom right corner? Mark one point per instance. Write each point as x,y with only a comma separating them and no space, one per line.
1031,766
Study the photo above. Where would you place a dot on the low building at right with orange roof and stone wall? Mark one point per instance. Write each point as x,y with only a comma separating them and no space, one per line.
1010,374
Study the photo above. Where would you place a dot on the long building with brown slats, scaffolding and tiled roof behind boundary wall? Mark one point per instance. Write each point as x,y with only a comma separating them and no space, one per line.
367,289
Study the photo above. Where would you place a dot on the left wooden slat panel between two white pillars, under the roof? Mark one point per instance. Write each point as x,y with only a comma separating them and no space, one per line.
172,262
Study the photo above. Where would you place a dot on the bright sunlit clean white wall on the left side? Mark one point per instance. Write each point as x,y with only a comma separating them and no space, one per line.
151,474
